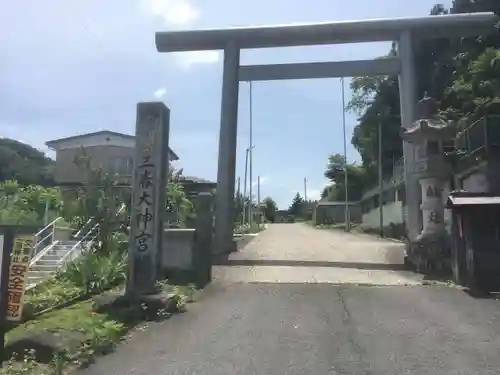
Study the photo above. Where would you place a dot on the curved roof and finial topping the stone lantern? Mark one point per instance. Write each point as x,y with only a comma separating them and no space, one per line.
428,126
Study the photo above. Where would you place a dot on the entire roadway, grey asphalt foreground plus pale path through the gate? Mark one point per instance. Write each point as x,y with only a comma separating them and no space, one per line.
245,324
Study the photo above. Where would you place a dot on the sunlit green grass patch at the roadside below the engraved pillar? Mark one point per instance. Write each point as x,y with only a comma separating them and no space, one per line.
97,334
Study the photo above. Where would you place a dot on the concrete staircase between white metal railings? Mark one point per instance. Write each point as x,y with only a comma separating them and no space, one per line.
48,264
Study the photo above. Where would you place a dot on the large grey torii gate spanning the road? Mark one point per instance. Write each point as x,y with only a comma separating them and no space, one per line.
405,31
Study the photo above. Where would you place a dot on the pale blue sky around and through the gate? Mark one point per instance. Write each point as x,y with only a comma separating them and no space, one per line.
71,67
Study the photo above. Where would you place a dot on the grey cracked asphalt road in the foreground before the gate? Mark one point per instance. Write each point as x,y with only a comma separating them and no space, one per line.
299,329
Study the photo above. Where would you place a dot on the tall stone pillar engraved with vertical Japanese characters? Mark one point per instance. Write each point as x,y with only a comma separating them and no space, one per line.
148,197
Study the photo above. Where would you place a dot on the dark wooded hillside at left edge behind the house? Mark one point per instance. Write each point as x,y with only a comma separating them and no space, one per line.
27,165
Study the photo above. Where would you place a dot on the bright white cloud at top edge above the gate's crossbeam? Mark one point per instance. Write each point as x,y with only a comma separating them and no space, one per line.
175,13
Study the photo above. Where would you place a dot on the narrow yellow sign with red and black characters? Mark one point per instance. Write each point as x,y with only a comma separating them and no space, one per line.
18,275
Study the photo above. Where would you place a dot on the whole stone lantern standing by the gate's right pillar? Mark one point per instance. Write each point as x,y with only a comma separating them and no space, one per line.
434,172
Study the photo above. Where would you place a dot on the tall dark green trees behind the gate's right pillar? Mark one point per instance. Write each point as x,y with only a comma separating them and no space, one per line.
462,74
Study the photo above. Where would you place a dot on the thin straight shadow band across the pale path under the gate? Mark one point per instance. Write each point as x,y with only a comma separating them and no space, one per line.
226,261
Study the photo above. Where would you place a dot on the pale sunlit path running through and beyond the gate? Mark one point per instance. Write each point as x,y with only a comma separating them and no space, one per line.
297,253
